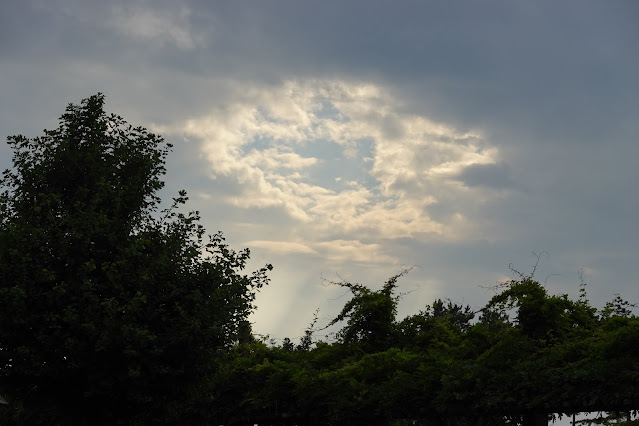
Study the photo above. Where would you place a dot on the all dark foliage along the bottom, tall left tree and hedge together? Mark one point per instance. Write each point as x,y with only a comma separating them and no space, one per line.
116,311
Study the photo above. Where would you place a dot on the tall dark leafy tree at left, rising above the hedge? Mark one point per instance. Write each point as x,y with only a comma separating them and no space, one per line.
110,311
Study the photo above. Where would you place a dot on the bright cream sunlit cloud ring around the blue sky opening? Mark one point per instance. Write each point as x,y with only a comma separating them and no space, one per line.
343,160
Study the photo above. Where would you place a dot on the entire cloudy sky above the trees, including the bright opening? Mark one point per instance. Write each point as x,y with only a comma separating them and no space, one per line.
348,139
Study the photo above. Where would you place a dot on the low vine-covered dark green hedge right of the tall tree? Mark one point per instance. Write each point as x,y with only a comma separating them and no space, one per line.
524,356
